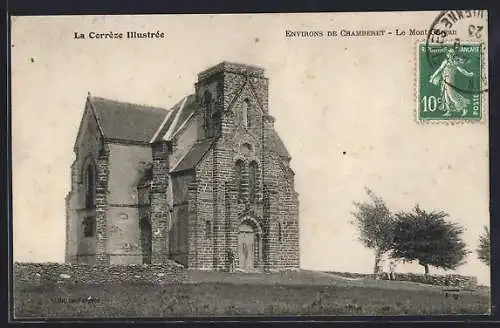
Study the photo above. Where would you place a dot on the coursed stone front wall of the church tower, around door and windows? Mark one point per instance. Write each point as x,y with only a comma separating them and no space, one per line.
219,208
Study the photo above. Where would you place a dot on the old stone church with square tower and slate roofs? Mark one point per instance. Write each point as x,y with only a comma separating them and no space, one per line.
207,183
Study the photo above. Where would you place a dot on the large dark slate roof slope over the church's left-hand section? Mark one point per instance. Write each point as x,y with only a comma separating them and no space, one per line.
126,121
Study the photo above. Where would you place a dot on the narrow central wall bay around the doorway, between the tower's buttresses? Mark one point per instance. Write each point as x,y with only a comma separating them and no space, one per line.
235,207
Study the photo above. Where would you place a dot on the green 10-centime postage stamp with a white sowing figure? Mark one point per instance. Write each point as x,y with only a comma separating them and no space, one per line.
449,82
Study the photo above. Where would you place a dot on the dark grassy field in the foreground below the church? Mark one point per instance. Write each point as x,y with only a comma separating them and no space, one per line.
223,294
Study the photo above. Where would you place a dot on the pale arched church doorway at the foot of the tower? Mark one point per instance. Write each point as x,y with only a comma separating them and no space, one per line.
249,245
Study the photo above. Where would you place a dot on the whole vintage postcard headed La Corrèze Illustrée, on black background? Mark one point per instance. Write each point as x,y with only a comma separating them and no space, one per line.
175,166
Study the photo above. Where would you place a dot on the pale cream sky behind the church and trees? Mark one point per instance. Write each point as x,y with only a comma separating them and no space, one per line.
344,107
